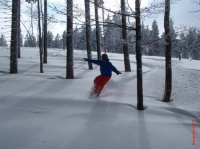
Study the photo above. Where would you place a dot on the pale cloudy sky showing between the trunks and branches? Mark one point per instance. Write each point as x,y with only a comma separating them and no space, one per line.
180,13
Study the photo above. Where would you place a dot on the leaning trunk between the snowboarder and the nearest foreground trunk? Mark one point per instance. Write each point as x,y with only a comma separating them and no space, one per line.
124,36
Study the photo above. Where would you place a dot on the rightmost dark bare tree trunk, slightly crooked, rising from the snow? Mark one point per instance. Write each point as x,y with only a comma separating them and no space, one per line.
168,47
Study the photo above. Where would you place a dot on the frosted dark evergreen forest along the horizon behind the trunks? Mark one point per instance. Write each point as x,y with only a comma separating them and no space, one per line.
187,43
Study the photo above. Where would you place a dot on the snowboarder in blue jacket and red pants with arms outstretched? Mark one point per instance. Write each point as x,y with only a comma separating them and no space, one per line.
106,69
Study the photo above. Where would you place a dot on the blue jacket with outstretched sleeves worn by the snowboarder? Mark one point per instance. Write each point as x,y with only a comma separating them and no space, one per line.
106,68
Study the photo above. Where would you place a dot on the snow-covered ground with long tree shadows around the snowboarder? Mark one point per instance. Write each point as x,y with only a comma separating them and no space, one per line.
47,111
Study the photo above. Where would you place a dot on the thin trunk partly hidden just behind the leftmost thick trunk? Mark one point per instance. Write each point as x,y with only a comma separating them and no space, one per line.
19,29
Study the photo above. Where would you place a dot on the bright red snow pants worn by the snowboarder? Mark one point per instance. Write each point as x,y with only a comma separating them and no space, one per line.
99,83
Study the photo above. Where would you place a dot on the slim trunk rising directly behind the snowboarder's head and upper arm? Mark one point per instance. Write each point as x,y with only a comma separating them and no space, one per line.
97,30
